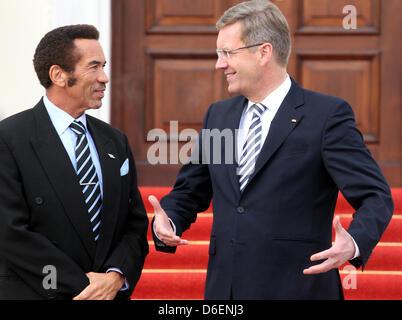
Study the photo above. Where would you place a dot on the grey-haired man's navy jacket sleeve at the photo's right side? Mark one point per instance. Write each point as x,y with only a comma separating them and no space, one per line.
359,178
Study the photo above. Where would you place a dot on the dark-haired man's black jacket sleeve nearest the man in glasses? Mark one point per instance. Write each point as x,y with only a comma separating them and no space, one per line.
129,255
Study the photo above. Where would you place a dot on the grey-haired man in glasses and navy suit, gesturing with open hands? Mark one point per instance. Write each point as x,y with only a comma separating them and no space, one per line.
273,208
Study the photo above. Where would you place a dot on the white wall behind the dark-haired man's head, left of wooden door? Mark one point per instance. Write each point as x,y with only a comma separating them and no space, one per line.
22,24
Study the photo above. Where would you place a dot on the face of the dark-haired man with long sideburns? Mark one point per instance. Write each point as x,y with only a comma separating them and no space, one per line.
87,84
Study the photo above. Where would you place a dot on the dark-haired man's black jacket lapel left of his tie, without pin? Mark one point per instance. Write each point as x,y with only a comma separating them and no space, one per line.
57,165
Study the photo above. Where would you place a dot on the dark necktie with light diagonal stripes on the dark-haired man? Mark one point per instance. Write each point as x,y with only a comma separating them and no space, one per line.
87,177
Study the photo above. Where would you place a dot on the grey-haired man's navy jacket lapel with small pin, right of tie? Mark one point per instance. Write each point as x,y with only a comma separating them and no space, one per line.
285,120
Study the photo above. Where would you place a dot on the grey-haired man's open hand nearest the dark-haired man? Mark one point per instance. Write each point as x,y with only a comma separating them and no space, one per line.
162,226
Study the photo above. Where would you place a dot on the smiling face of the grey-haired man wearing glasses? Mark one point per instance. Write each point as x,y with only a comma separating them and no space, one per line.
241,69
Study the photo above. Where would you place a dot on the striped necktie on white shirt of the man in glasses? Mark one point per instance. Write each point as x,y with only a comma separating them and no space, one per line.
251,147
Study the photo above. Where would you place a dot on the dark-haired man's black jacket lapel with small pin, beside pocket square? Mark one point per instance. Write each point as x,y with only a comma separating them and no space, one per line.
110,164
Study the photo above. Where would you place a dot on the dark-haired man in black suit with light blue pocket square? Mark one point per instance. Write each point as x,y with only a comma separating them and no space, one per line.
72,221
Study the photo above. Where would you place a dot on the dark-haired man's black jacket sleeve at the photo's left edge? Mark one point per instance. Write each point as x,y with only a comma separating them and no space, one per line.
28,252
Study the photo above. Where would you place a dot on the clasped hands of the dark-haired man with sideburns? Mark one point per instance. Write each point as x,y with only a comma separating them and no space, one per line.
102,286
